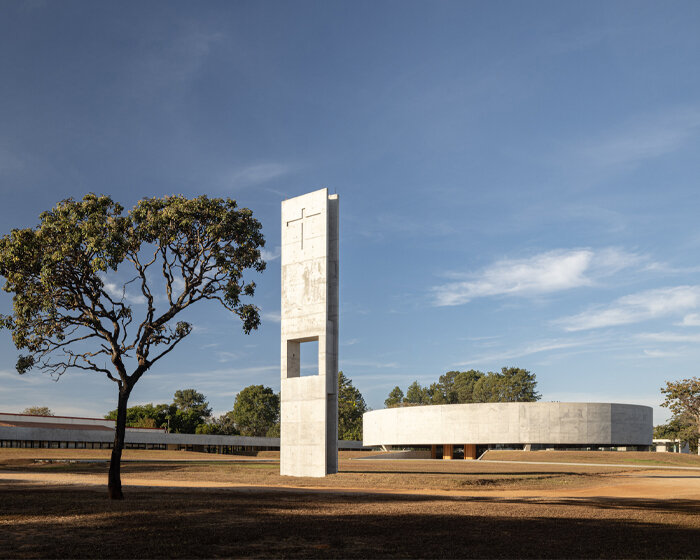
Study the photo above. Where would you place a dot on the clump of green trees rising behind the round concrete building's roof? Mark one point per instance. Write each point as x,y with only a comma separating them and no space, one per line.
510,385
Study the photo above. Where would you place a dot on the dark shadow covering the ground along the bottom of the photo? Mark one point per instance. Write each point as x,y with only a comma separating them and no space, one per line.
56,522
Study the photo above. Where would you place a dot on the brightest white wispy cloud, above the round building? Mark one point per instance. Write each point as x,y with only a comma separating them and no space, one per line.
548,272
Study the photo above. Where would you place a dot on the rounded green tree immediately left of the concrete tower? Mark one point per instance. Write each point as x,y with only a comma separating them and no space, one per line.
256,410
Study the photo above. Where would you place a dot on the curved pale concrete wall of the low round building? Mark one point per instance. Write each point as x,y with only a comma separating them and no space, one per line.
510,423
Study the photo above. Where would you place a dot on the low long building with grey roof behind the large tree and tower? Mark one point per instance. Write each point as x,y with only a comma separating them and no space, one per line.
23,430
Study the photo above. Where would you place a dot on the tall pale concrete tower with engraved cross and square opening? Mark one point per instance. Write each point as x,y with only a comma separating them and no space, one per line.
309,312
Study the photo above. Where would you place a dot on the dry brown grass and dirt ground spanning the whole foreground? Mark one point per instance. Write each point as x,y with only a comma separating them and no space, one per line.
242,507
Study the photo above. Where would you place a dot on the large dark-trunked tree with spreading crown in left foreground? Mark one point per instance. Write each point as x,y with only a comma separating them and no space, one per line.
65,314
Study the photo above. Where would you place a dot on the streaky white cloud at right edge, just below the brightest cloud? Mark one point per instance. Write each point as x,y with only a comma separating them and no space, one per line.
635,308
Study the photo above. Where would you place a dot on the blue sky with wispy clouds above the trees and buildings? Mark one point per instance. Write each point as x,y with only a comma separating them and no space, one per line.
518,181
